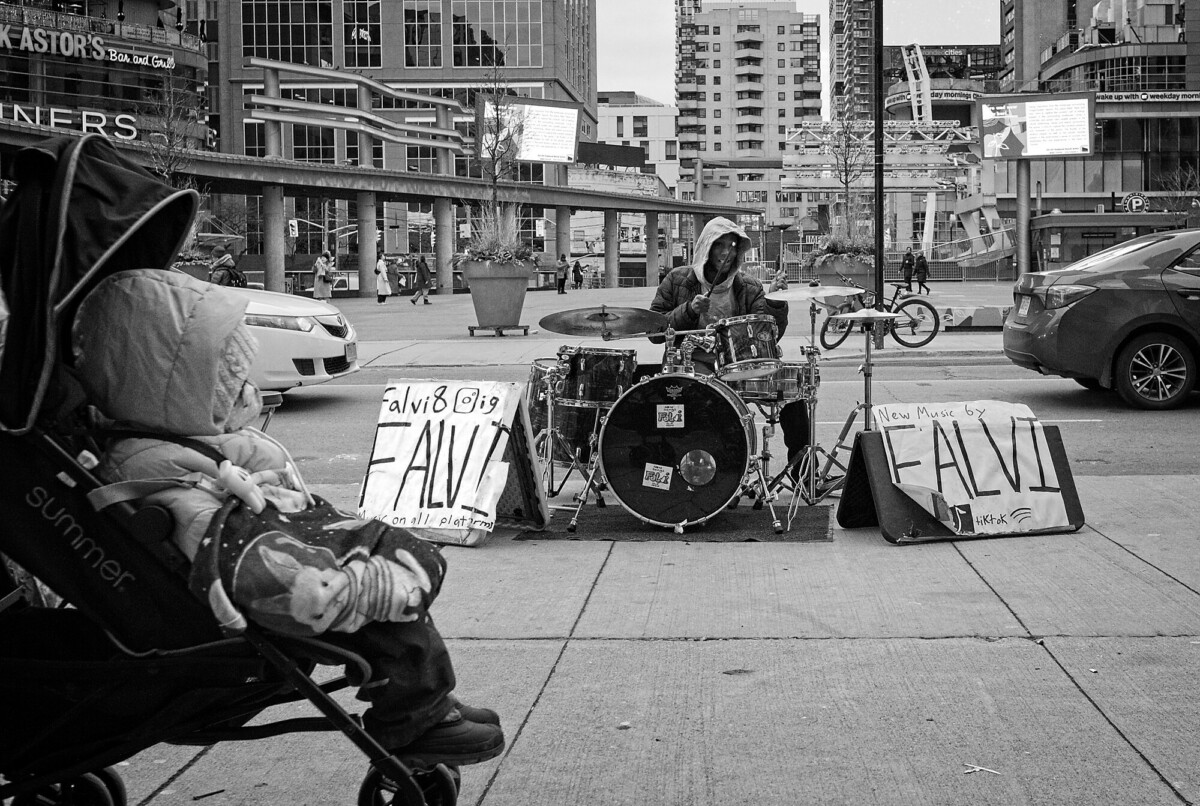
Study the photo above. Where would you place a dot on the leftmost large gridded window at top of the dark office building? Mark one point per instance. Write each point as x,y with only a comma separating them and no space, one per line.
299,32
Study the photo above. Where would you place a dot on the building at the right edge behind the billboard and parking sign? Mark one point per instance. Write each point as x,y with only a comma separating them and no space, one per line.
1142,59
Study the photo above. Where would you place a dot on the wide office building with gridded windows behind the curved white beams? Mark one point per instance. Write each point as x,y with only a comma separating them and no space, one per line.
452,49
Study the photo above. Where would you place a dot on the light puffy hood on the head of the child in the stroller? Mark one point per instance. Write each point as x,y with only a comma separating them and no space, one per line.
166,352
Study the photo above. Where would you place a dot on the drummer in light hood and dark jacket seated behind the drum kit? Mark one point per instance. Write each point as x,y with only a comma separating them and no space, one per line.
713,288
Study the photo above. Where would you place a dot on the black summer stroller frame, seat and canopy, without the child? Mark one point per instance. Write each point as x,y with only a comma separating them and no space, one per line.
133,659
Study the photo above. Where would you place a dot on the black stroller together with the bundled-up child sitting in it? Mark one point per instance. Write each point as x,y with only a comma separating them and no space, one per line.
133,621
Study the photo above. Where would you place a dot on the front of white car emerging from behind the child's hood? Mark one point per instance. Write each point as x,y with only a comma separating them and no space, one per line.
302,341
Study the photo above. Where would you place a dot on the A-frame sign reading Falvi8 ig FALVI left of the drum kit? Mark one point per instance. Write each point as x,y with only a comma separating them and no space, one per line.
443,456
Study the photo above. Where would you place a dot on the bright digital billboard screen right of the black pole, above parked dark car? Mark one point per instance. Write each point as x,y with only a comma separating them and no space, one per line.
1028,125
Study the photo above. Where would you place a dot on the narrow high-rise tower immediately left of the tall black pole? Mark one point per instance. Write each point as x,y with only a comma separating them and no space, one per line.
853,59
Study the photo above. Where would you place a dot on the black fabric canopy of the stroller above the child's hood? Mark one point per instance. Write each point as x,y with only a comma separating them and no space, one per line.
81,212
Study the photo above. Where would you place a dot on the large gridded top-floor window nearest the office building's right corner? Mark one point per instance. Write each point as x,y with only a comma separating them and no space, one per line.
497,33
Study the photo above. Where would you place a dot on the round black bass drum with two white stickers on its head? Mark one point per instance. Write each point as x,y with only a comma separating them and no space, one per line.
676,448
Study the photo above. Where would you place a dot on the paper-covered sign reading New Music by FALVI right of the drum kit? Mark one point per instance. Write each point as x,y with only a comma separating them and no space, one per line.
980,468
